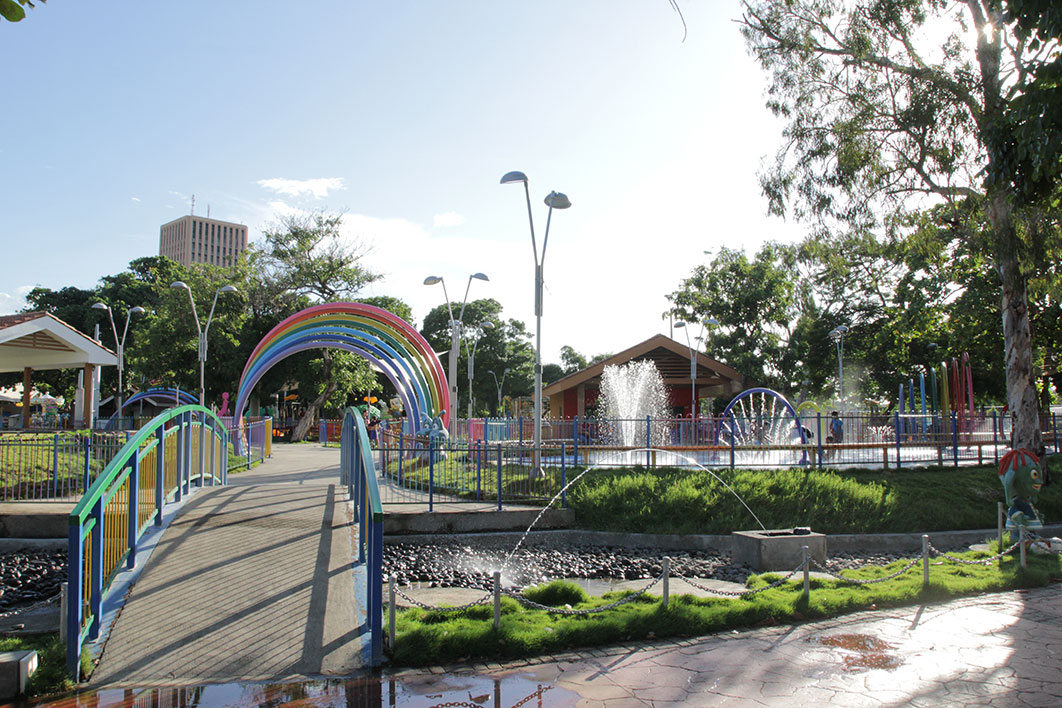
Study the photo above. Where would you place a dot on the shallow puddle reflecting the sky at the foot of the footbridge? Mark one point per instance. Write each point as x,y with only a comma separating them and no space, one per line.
416,692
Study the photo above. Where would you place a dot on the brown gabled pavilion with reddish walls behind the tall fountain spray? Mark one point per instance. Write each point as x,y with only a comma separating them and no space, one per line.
575,393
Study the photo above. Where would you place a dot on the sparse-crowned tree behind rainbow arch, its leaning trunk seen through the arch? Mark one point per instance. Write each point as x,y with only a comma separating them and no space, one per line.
306,255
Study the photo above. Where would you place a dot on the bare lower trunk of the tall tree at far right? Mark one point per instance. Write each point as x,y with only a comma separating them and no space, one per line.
1017,335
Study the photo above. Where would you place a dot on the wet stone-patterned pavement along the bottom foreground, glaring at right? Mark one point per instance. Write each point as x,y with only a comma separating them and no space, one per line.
1000,651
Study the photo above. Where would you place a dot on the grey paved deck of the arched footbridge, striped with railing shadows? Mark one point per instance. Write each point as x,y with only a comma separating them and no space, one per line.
252,581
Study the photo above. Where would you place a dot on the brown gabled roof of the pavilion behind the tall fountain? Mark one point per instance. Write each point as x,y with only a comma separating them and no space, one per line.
673,361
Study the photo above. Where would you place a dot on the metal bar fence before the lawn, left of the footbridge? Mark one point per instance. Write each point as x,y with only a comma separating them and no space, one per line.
36,467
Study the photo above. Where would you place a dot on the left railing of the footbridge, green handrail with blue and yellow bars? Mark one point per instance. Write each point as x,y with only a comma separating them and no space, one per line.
157,465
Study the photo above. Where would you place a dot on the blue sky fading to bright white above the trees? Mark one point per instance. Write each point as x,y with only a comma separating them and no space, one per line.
404,117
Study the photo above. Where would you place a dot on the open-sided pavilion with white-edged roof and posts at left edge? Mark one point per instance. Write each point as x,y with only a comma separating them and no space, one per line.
40,341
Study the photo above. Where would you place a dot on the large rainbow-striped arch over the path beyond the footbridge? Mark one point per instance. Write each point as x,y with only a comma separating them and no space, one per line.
386,340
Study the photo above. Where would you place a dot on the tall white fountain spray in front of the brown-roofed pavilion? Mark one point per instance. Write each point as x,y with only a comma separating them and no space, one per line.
631,393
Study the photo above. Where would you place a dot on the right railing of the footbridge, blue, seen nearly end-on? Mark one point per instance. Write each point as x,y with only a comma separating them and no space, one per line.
358,474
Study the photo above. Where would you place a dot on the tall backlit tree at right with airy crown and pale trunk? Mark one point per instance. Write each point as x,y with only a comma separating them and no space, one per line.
881,119
